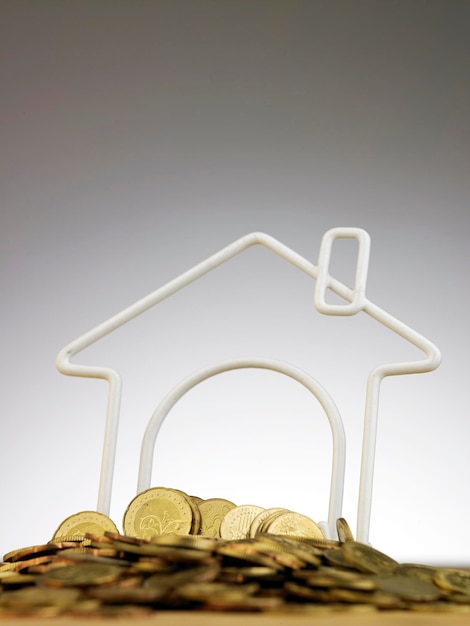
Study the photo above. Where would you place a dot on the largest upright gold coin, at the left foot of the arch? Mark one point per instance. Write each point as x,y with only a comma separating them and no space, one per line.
158,511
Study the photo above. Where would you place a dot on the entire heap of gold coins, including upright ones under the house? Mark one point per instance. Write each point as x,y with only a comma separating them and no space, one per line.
180,552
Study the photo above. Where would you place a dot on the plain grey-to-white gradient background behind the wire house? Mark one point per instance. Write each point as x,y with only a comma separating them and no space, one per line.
138,138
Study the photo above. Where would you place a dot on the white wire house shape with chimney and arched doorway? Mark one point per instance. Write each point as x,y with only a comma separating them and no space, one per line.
355,301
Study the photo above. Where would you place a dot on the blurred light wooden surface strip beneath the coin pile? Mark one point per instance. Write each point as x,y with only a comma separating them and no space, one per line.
184,618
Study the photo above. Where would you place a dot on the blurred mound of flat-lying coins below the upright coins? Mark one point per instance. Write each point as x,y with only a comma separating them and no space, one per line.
118,575
